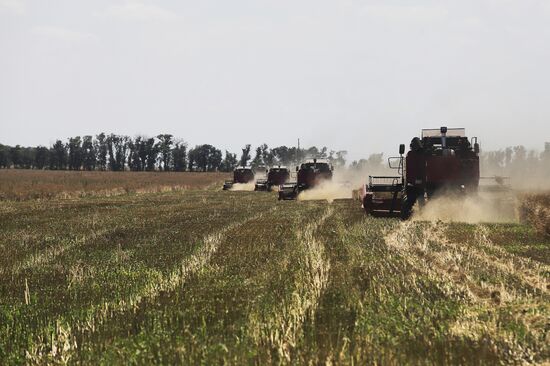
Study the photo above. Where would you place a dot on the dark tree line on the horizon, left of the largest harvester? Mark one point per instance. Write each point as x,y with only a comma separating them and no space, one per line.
163,152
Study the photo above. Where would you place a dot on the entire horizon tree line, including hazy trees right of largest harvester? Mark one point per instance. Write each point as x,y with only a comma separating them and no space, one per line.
164,152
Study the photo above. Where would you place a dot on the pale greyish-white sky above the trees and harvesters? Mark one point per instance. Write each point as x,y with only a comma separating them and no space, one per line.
361,76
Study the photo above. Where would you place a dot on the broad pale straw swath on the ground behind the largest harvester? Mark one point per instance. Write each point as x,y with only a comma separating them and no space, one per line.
427,248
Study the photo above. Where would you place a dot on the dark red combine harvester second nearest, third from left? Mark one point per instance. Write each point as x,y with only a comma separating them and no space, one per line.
309,174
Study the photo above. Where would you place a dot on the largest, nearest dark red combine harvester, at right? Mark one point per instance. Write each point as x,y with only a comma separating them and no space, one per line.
440,160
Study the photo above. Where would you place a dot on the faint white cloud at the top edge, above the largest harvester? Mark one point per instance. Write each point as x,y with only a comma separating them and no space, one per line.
406,13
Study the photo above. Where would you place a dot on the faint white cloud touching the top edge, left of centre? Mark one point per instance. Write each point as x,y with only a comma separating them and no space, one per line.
139,11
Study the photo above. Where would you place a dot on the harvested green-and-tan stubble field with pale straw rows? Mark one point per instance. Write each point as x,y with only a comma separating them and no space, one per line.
202,276
